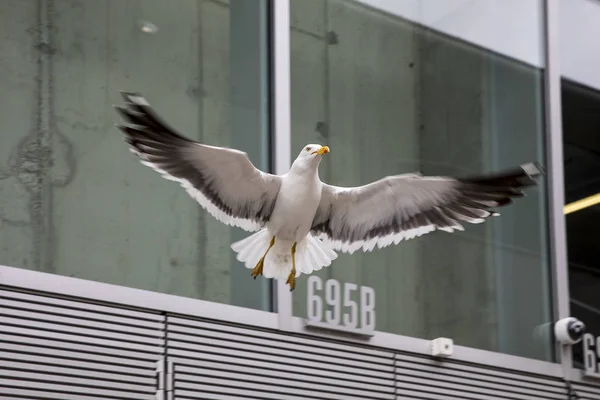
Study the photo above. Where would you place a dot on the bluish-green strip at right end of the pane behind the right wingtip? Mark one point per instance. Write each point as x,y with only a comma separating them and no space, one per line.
520,255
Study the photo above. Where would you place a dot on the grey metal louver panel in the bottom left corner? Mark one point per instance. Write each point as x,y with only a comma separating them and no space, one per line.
52,348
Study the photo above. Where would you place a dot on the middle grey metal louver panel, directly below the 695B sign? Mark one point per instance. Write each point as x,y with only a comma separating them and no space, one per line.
224,362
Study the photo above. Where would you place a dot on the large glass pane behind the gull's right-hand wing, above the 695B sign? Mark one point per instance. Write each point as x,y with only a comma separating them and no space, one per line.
389,95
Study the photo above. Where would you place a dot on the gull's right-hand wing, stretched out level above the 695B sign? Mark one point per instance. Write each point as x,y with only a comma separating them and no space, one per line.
402,207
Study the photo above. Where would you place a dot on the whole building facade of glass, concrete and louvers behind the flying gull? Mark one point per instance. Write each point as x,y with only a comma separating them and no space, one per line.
115,284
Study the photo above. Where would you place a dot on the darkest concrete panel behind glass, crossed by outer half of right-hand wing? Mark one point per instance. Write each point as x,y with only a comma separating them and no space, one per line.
455,273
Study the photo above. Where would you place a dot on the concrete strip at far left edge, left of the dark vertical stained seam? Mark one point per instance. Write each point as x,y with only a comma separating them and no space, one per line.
19,186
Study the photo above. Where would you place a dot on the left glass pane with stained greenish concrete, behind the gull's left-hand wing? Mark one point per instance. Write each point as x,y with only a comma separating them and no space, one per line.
73,200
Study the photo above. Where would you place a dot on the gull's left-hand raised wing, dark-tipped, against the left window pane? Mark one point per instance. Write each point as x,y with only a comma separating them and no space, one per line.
224,181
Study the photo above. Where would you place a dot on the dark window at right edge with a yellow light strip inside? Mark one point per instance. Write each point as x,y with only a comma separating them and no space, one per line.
581,124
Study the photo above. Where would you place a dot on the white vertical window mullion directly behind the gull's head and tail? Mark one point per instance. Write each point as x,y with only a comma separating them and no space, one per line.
280,24
